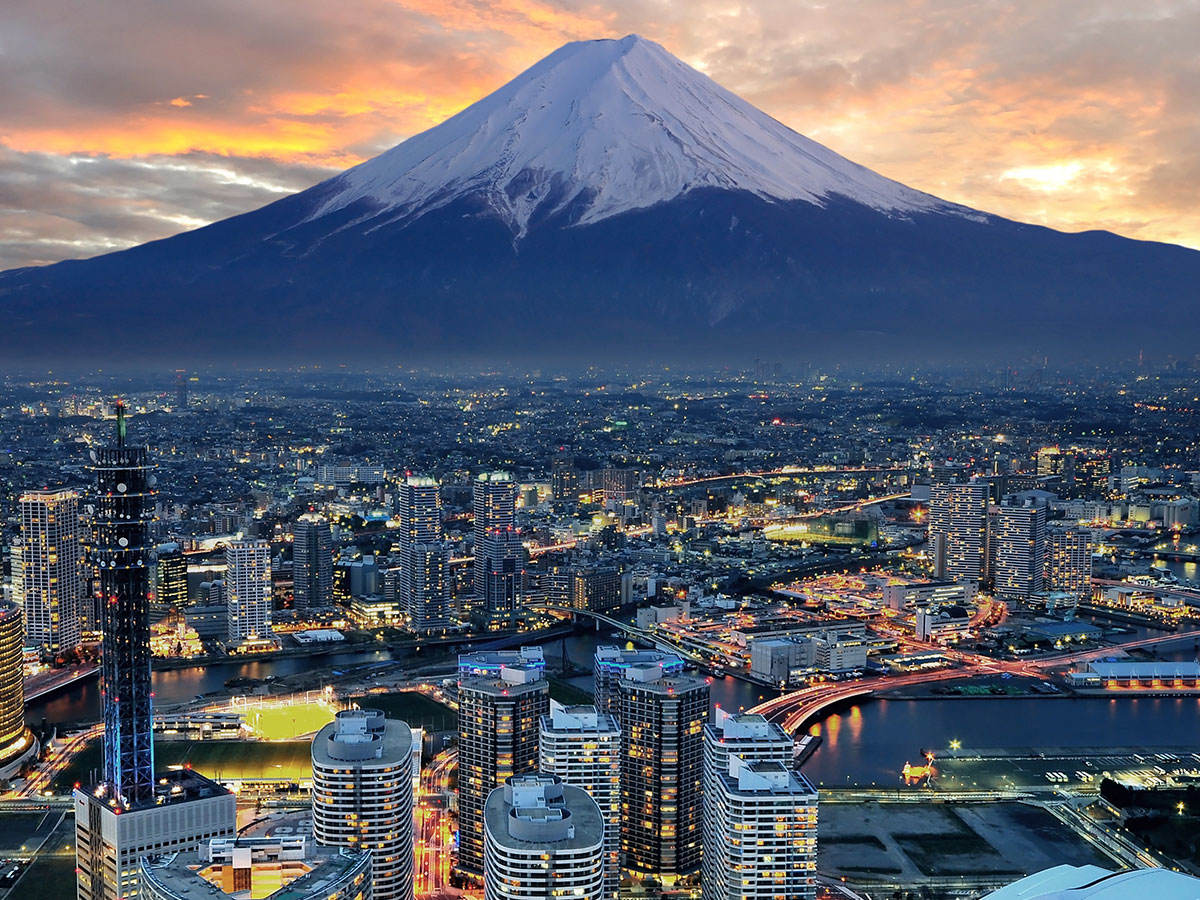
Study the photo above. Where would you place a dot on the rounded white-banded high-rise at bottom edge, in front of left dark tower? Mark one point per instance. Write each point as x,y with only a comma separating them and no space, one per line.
543,839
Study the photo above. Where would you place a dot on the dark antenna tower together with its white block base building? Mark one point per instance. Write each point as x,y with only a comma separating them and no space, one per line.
131,814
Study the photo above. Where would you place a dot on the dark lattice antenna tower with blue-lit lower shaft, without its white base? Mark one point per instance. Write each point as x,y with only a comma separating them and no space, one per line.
123,556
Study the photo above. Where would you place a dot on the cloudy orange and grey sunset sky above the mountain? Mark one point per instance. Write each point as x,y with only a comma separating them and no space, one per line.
122,122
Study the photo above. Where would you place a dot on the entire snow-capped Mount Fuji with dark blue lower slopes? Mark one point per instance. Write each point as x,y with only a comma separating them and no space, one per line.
610,202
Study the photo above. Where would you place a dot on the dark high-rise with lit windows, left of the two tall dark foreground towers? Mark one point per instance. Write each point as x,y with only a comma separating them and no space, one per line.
502,698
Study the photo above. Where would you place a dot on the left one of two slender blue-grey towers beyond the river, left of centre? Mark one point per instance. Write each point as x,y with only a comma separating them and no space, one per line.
424,586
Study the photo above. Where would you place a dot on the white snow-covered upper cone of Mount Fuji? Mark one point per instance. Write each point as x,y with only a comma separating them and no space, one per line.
605,128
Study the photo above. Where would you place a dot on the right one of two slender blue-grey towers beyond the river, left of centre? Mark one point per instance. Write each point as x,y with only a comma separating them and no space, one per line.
500,556
